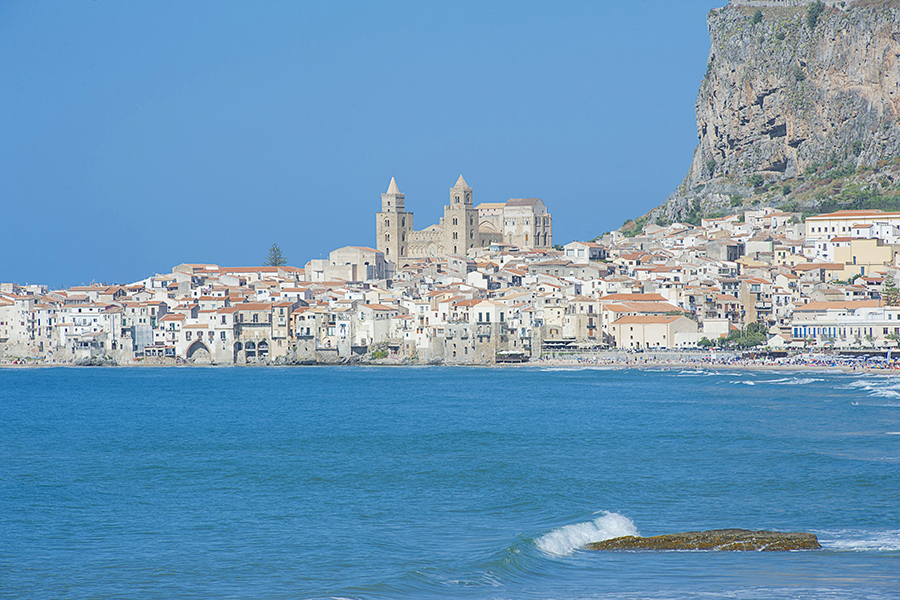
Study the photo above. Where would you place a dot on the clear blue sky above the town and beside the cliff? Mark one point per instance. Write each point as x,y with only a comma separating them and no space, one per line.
138,135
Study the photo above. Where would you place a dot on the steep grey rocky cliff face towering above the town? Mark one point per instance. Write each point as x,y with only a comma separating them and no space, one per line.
782,94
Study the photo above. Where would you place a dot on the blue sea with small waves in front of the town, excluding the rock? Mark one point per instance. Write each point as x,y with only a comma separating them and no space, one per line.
434,482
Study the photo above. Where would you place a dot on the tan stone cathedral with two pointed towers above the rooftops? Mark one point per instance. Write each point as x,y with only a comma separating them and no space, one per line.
521,222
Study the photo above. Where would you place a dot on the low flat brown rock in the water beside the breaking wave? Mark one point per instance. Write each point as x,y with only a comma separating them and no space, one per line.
716,539
